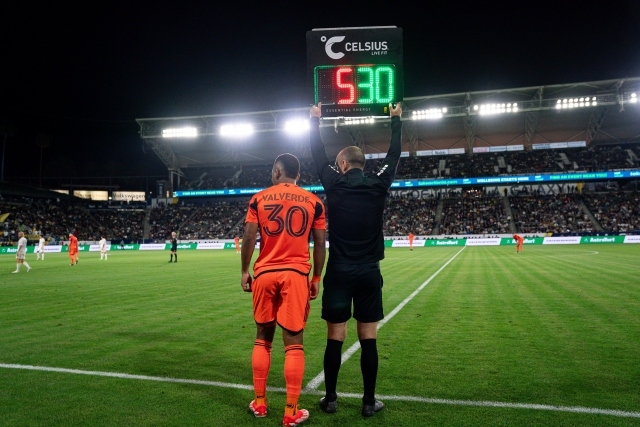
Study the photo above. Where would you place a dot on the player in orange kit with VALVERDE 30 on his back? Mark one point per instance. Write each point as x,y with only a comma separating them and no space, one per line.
286,215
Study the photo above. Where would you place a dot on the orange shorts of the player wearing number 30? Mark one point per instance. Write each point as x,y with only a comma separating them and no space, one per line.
282,296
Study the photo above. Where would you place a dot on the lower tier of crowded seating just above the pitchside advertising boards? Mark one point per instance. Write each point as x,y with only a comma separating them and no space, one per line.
463,213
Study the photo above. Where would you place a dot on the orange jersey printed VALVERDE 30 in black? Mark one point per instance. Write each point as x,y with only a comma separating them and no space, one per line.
285,214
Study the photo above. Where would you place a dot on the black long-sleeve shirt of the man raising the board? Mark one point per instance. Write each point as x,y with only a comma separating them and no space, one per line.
356,201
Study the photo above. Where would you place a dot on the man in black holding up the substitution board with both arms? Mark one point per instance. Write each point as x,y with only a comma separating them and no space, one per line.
356,204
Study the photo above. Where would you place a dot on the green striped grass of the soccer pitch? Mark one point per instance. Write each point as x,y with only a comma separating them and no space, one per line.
557,325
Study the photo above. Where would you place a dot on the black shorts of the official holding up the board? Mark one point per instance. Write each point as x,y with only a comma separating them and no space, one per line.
357,283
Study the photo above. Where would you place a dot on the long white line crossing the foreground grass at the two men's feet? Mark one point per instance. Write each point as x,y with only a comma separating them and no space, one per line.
576,409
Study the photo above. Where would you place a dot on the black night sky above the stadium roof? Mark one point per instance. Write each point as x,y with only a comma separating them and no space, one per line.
83,73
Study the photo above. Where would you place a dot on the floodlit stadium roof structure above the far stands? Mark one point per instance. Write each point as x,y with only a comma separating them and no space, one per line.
606,111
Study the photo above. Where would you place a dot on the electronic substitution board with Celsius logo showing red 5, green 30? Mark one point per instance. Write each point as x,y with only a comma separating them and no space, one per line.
355,72
